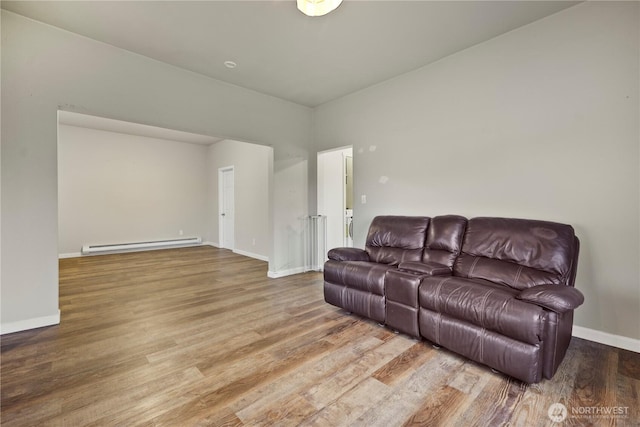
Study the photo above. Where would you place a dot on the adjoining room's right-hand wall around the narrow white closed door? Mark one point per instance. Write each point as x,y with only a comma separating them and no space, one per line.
252,179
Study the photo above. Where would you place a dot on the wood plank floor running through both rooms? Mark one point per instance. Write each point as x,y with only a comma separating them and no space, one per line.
200,336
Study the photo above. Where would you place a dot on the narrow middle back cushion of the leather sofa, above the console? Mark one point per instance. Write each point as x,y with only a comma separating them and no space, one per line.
444,239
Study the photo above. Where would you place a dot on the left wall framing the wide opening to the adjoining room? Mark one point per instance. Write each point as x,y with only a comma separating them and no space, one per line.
45,69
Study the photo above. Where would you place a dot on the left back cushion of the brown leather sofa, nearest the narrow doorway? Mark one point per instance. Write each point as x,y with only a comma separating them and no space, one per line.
395,239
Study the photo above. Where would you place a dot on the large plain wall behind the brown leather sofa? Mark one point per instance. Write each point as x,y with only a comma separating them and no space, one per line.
541,122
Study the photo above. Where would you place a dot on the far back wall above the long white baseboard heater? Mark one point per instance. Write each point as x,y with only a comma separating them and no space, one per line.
117,188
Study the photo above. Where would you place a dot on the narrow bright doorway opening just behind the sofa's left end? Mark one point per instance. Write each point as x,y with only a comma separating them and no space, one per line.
335,195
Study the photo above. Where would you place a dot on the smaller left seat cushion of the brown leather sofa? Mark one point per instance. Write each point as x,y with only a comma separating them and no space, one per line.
361,275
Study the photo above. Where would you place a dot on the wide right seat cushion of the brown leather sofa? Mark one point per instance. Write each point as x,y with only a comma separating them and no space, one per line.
484,304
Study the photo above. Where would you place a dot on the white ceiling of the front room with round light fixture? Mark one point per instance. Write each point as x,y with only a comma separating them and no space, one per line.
283,53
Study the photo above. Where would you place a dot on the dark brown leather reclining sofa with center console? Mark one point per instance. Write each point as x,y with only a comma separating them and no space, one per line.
496,290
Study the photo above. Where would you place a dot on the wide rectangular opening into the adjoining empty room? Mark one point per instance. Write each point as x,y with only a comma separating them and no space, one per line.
122,183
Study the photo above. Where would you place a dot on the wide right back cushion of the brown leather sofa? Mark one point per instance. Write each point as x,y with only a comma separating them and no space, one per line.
518,253
